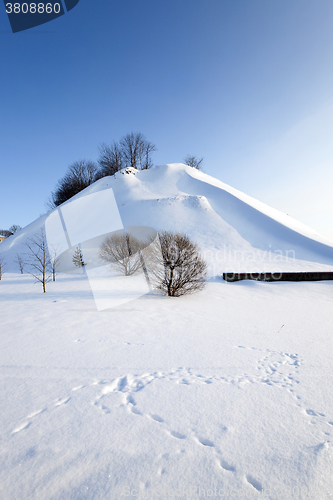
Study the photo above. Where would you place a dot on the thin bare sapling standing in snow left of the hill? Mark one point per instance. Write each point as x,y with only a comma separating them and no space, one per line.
39,259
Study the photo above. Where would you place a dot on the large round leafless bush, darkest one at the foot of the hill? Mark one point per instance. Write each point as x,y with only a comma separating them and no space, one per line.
176,268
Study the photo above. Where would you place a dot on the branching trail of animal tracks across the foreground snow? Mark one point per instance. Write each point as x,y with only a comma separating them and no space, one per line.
276,369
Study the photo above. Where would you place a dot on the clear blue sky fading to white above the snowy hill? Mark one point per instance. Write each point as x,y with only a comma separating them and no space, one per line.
247,84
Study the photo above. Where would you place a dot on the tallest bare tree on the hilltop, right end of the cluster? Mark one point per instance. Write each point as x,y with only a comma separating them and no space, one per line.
136,151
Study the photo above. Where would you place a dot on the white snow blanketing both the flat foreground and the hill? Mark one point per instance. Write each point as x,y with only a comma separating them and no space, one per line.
223,394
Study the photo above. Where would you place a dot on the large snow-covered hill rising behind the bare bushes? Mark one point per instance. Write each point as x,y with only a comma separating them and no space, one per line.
234,231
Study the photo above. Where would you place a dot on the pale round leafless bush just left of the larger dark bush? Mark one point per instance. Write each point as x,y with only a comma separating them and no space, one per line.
122,251
